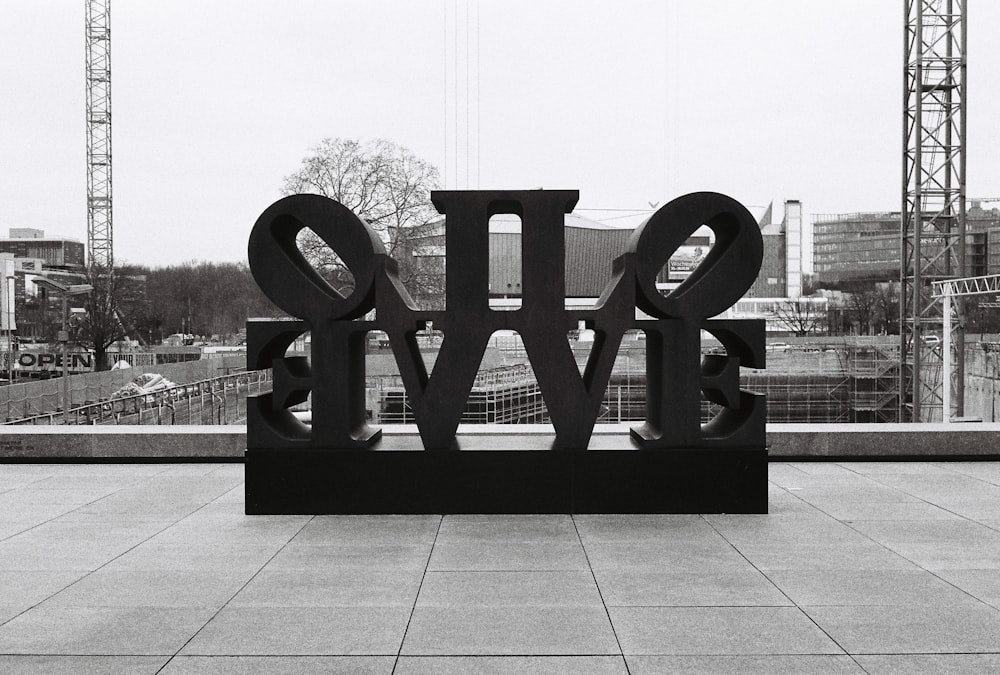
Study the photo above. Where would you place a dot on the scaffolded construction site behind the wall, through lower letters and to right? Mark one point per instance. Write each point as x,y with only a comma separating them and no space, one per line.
807,380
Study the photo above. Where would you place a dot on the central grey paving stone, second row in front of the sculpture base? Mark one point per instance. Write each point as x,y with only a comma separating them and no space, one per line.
488,555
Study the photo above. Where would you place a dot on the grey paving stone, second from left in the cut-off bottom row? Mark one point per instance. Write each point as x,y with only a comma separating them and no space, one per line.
286,665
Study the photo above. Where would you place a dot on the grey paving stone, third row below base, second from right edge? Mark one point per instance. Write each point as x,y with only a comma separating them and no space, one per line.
866,587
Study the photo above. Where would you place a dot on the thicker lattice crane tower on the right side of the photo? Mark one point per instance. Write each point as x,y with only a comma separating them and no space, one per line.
933,210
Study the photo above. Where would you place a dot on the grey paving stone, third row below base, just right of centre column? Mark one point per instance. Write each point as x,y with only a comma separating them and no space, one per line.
728,588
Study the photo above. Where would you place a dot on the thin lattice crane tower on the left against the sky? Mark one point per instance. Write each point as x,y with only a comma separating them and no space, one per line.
98,43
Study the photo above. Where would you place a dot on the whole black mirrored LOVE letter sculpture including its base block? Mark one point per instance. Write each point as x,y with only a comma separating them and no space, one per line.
341,464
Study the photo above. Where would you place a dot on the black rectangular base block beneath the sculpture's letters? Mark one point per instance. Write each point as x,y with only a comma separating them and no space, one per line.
282,481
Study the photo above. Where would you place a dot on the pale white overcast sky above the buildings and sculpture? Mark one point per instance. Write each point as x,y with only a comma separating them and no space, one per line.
214,101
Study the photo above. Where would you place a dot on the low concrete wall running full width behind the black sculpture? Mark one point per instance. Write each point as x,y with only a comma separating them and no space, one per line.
229,442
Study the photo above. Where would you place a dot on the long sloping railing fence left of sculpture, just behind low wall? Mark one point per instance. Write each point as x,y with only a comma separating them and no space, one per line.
219,400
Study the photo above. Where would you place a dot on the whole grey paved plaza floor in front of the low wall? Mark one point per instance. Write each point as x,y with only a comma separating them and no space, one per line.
143,568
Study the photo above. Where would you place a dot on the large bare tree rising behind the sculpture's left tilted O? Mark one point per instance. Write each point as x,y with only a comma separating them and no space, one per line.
389,188
